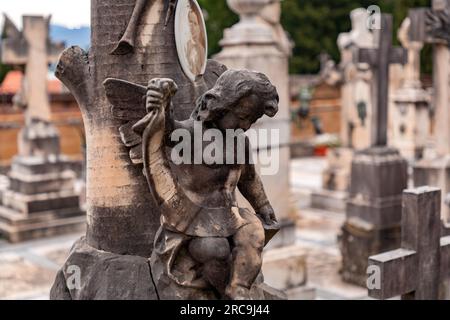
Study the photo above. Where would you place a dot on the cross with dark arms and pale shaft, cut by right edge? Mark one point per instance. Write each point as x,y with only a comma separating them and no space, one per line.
433,26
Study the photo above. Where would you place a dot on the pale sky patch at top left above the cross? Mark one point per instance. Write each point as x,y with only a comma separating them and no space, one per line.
69,13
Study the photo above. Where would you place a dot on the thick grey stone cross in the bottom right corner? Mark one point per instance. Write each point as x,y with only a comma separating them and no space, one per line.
421,265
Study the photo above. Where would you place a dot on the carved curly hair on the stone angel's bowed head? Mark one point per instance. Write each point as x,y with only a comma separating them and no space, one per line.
230,88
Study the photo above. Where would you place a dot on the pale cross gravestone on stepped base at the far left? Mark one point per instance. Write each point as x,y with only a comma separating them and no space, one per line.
41,199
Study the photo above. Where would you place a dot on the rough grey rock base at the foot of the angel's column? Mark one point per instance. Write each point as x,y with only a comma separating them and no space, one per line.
108,276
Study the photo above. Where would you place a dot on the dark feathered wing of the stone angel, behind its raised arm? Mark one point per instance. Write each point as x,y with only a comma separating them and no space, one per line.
128,104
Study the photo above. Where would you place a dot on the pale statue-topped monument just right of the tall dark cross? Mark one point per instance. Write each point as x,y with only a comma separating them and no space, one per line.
411,113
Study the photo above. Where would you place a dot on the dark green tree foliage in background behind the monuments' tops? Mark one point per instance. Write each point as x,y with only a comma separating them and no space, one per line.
314,25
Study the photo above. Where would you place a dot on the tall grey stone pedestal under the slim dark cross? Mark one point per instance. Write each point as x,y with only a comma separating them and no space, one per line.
373,216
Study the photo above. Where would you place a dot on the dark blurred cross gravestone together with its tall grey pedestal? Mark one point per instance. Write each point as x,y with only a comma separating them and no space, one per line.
378,175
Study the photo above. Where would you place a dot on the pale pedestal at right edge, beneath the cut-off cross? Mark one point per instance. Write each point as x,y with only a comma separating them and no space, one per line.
435,172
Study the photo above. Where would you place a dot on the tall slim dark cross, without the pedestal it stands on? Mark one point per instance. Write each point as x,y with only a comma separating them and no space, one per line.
380,59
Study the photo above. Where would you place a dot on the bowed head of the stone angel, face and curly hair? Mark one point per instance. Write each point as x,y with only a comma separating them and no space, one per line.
238,100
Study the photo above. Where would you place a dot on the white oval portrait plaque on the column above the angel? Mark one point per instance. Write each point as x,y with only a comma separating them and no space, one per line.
191,39
